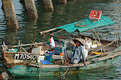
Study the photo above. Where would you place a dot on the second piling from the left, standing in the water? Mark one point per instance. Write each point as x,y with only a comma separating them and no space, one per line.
31,8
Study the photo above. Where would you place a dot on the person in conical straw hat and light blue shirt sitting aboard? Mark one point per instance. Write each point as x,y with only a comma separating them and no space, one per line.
78,51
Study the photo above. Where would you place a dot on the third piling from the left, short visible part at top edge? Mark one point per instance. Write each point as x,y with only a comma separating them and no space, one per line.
48,5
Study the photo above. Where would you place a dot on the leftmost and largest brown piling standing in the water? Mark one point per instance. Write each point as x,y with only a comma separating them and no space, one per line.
10,15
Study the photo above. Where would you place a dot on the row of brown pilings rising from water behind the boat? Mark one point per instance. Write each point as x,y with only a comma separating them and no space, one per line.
10,15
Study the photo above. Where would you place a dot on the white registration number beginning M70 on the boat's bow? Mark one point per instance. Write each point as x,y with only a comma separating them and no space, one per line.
24,56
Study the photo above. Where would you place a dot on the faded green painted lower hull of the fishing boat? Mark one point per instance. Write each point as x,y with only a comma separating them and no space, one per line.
28,71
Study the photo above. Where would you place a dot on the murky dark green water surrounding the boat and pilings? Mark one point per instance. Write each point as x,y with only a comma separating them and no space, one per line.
64,14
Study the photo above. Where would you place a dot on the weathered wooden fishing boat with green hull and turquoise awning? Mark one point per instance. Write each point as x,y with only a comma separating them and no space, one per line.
24,62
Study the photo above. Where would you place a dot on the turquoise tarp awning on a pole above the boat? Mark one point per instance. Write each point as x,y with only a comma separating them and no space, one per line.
84,25
